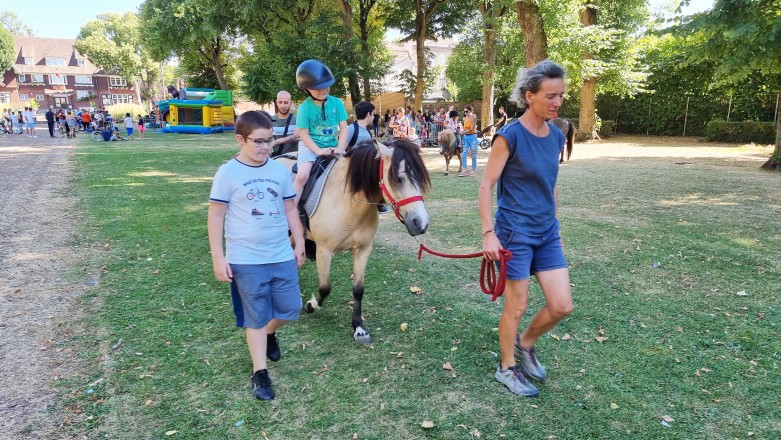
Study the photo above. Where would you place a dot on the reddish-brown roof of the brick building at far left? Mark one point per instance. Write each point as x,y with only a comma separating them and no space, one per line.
39,49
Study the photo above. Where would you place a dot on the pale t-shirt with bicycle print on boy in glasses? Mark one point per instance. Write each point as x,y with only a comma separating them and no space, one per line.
256,229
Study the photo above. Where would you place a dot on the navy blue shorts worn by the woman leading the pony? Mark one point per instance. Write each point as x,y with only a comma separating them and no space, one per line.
531,254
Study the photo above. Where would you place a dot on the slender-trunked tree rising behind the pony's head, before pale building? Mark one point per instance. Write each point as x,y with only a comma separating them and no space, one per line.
421,20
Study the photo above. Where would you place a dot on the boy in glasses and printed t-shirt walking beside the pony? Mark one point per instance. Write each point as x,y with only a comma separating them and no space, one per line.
252,197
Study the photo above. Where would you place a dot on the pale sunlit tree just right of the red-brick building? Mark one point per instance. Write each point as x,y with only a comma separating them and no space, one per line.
113,43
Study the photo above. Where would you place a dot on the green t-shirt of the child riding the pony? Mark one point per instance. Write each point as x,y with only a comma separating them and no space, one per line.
324,129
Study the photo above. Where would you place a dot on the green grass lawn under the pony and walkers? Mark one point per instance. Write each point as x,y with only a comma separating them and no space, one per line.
675,262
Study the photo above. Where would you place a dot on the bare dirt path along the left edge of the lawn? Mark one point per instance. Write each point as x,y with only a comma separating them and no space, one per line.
37,222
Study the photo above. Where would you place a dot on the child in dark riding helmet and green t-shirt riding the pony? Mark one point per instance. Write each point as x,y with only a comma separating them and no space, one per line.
321,120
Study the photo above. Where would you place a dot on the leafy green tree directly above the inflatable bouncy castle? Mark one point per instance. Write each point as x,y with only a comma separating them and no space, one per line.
190,29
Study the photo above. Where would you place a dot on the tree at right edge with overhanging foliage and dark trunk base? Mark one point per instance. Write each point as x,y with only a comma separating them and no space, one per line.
742,37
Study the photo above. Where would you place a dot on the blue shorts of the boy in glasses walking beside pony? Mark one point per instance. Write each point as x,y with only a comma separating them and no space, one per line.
261,292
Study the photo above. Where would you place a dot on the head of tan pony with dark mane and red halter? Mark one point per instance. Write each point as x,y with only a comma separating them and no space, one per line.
404,177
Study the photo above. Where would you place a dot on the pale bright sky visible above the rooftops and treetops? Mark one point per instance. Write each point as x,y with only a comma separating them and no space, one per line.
56,21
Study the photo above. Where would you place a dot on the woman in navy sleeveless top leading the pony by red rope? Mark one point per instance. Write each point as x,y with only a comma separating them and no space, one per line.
524,161
